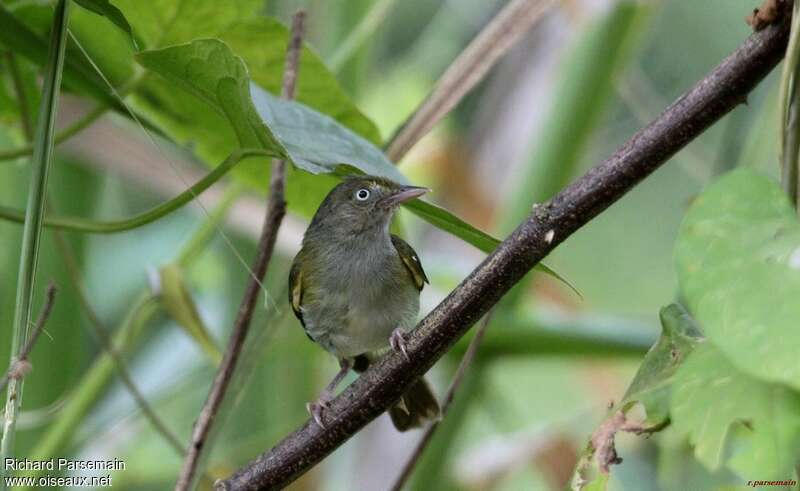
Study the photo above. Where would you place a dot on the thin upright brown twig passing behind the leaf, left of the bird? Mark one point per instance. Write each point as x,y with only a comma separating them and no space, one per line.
276,209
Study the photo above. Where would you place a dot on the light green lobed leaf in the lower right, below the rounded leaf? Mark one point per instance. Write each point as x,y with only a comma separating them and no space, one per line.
711,396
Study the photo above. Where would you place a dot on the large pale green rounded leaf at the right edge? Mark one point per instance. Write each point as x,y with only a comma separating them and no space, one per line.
738,261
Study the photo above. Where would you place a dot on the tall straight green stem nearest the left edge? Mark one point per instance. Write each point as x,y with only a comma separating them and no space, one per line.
42,157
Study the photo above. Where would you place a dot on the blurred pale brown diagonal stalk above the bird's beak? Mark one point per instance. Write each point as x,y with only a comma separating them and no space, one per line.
466,71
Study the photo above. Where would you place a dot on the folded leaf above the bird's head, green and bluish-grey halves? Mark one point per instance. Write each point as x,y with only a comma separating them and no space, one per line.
311,141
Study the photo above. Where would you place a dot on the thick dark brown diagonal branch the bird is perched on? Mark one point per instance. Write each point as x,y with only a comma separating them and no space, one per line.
383,383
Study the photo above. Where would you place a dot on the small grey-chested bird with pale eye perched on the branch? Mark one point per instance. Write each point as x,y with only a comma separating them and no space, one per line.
355,287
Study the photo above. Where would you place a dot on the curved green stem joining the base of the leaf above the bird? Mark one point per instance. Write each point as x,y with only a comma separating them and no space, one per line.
91,226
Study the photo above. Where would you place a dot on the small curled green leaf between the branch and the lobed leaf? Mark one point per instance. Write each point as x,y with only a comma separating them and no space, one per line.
652,383
